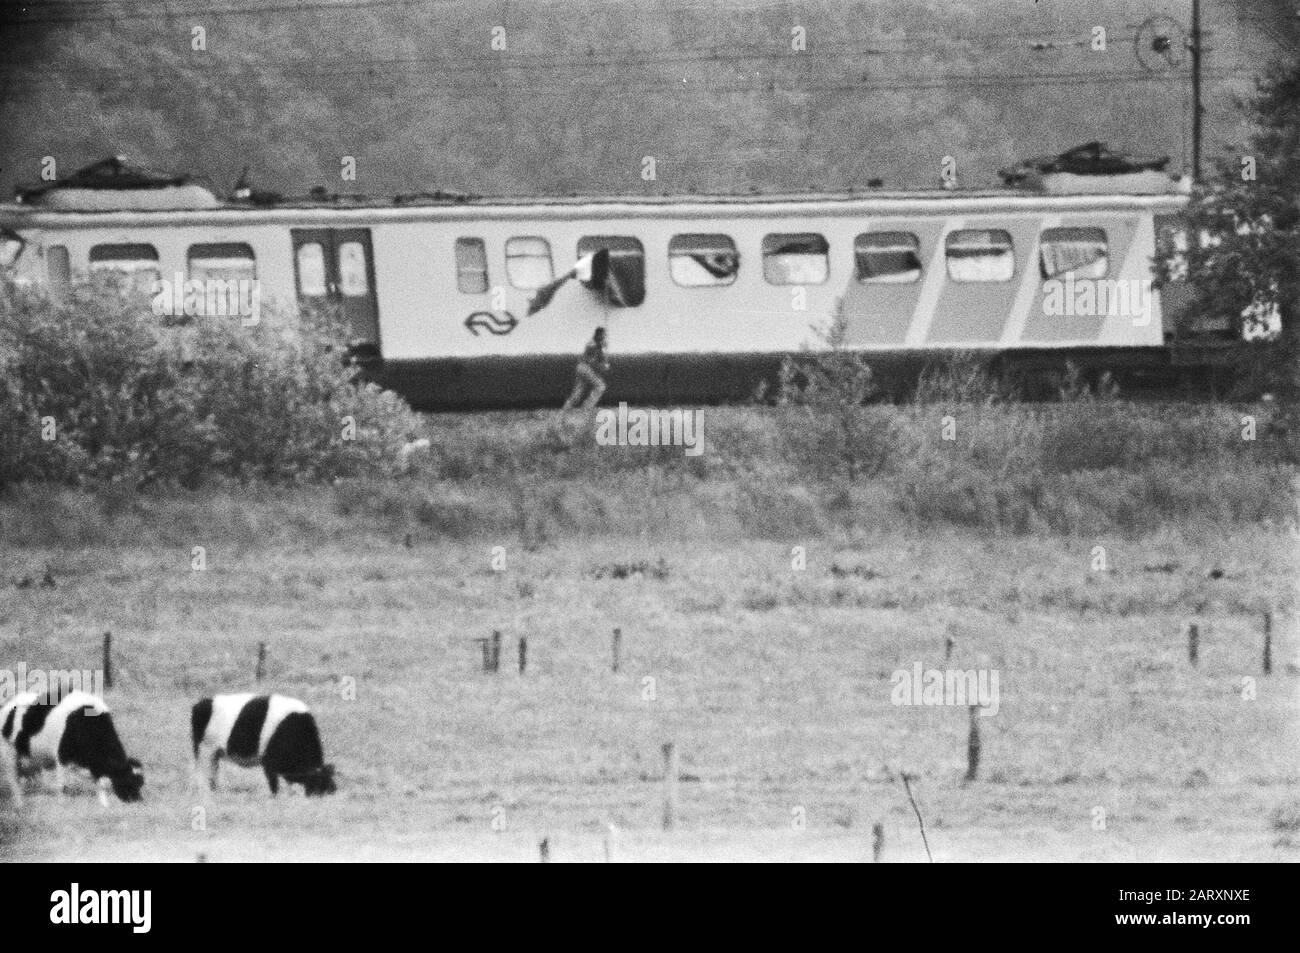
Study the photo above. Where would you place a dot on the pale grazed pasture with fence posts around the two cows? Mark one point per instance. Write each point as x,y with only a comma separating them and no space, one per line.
773,683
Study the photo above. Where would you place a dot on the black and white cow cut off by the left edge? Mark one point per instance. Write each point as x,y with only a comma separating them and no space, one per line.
77,731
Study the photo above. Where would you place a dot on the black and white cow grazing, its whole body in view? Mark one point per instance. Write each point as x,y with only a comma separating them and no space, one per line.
272,731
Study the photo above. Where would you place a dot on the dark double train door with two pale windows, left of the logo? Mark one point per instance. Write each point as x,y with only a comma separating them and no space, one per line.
336,268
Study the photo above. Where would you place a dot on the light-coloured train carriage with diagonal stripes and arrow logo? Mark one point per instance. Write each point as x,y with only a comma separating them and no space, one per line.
705,294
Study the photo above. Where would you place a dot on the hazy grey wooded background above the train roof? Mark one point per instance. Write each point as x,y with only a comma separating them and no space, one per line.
571,96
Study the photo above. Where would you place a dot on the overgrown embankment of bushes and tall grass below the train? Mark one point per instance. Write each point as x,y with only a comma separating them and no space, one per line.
116,428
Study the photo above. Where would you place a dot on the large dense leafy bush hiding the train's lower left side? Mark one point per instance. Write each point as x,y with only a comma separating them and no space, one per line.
96,391
